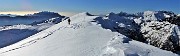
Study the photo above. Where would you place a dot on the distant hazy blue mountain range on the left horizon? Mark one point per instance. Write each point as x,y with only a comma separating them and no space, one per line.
27,19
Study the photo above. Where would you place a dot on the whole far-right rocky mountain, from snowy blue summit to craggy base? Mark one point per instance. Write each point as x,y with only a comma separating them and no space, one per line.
161,30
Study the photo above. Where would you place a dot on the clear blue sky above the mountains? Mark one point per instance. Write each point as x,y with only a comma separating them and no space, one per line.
92,6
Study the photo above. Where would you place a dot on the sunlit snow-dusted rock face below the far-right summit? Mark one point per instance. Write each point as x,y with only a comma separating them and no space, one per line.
162,34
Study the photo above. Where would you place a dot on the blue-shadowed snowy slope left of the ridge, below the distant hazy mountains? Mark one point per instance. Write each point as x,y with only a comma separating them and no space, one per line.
12,34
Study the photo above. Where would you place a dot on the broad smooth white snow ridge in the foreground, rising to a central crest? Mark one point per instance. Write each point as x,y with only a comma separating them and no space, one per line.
83,37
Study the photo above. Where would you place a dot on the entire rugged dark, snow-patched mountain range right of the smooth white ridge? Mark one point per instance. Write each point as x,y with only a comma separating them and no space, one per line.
157,28
